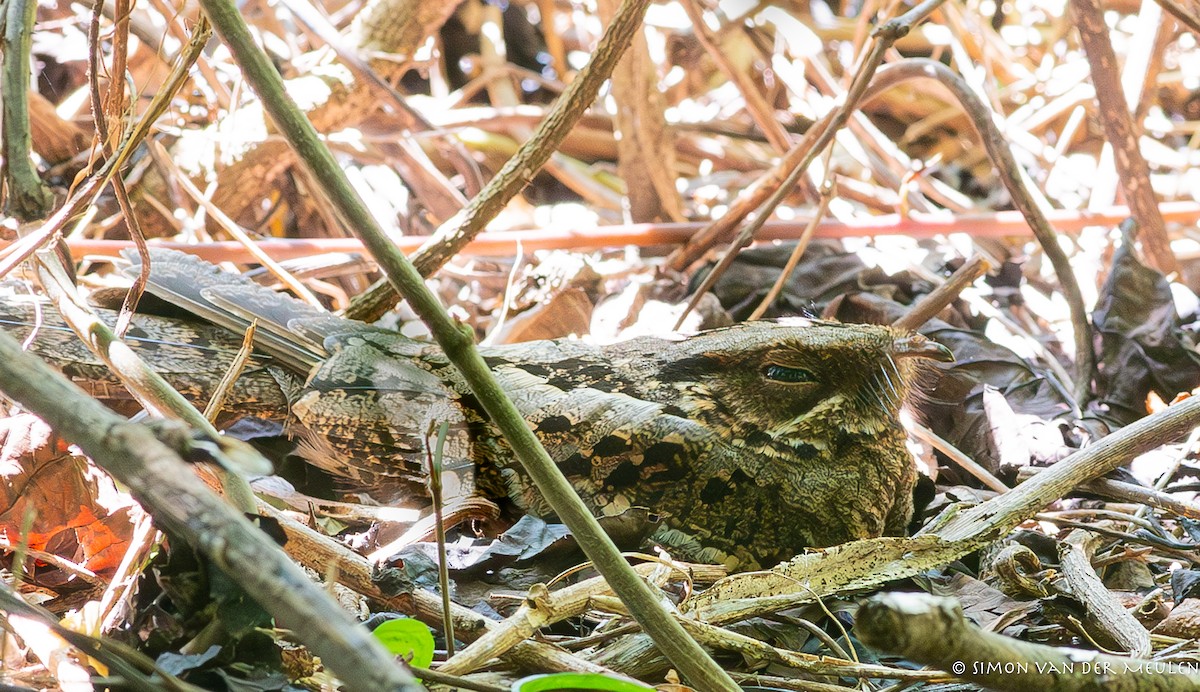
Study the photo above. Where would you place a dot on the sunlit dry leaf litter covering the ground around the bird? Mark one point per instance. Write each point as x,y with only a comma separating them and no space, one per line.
916,198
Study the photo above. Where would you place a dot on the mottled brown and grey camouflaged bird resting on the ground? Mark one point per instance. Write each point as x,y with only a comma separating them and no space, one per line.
752,442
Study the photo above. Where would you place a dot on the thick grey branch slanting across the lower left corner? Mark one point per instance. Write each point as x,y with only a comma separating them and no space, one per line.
161,482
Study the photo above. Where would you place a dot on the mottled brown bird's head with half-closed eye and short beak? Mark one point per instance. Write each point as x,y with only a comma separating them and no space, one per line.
779,382
